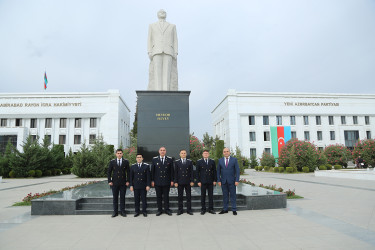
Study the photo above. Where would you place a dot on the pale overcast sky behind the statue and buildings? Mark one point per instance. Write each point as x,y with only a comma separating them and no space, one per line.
323,46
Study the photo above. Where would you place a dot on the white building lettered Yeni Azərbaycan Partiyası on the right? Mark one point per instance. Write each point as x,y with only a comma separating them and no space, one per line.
244,119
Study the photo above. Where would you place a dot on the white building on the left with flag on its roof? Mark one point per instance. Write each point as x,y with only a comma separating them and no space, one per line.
70,119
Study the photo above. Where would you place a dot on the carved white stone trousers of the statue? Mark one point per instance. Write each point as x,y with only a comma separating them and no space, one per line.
162,70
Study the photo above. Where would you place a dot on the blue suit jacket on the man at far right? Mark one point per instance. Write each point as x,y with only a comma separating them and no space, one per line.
228,174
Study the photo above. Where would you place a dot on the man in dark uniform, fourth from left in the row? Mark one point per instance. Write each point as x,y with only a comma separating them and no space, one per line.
184,180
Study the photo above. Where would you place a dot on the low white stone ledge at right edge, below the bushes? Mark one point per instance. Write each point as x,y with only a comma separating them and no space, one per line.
359,174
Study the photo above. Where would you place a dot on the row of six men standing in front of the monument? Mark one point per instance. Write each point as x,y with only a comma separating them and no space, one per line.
164,174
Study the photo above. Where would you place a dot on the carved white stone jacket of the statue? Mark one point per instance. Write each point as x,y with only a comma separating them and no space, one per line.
162,39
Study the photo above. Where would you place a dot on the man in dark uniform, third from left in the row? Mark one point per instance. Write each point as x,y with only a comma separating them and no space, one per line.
162,179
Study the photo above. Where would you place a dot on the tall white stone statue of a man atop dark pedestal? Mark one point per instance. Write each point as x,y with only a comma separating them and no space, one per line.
162,49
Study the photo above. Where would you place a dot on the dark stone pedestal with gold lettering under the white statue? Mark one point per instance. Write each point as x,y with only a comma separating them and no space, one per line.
163,120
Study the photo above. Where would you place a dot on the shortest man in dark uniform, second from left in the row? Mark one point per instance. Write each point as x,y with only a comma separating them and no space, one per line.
140,181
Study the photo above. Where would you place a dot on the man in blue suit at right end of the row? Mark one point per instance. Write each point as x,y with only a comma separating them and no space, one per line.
228,177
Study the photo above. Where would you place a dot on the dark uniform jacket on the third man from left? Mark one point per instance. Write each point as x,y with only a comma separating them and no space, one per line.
162,174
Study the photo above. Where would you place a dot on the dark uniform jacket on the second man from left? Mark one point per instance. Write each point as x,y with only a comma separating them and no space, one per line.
140,177
